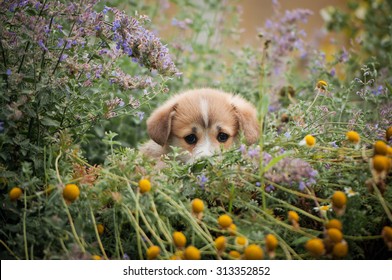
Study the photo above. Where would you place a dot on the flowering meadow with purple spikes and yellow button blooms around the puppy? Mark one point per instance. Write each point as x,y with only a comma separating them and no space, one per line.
79,78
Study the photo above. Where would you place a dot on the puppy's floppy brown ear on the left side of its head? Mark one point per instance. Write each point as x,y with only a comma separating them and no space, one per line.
159,123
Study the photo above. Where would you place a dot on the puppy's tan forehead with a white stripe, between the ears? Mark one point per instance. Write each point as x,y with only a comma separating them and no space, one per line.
204,108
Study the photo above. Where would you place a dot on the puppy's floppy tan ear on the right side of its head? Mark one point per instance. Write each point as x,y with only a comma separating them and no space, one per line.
247,118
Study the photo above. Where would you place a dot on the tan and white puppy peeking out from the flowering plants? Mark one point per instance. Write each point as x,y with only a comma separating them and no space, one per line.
201,122
